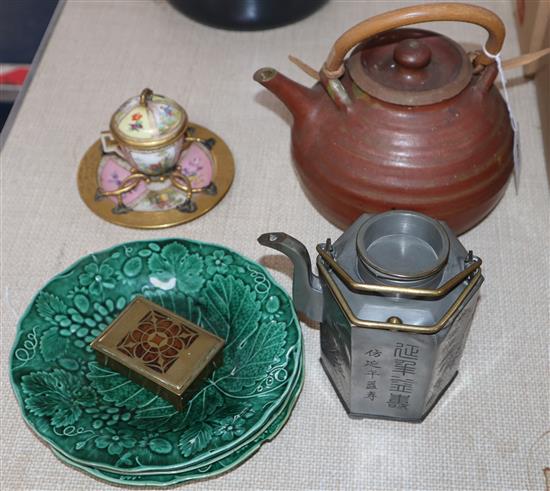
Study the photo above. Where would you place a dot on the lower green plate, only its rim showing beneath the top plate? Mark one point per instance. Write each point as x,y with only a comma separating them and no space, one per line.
208,470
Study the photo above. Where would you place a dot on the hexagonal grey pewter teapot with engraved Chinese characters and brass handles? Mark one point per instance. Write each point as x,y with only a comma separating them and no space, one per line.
395,298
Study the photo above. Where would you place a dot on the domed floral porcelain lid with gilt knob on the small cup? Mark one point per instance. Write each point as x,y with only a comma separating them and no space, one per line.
148,120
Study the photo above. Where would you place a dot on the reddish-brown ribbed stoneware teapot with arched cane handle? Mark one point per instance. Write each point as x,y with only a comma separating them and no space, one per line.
407,121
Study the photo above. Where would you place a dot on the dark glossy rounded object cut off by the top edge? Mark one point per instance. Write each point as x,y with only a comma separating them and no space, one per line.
247,15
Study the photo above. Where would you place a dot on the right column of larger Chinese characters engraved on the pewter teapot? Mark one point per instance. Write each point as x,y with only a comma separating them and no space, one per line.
405,357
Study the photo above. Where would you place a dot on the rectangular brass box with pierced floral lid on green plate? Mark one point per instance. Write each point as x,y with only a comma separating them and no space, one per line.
161,351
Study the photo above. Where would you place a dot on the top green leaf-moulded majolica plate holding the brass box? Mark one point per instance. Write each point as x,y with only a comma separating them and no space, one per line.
97,418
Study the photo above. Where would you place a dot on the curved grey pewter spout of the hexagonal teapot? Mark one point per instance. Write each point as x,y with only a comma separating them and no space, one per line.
306,287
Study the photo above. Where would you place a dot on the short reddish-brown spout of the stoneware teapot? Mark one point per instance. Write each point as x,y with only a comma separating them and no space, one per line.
299,100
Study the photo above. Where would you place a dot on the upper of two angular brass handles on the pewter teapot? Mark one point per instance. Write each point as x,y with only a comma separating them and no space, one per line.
413,292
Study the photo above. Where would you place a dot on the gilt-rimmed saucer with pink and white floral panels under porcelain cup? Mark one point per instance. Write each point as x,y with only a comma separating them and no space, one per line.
158,204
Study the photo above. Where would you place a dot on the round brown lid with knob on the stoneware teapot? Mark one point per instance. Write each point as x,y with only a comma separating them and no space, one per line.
410,67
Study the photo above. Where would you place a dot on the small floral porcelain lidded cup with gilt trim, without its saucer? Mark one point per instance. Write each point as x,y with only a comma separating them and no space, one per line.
148,131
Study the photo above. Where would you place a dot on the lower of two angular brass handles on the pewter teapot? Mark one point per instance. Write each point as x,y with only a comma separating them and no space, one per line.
389,326
